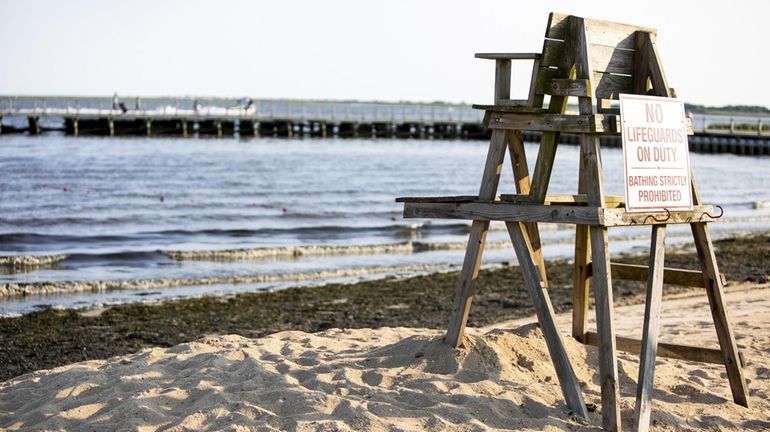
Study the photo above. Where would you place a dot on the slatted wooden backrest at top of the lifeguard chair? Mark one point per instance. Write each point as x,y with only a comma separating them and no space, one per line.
610,49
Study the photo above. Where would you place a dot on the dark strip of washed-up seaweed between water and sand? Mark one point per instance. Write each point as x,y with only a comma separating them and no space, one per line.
53,338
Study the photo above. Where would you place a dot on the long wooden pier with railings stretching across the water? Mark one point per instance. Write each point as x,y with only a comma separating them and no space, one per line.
210,117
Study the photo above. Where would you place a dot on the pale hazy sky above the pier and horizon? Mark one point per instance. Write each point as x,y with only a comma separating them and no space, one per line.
714,52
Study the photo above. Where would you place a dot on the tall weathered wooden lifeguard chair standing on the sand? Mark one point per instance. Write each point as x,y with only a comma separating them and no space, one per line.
594,61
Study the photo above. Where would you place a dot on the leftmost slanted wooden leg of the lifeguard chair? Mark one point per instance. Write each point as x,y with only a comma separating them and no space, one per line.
476,242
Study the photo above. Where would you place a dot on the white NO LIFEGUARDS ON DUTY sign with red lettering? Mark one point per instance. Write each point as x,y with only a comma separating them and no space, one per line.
655,152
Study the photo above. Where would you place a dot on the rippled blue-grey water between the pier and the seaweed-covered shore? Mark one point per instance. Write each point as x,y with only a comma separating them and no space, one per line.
152,216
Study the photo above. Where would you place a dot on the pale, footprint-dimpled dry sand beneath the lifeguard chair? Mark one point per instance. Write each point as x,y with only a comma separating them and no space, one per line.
395,379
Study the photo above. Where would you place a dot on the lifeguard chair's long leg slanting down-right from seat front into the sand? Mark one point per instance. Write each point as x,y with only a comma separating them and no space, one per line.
545,317
